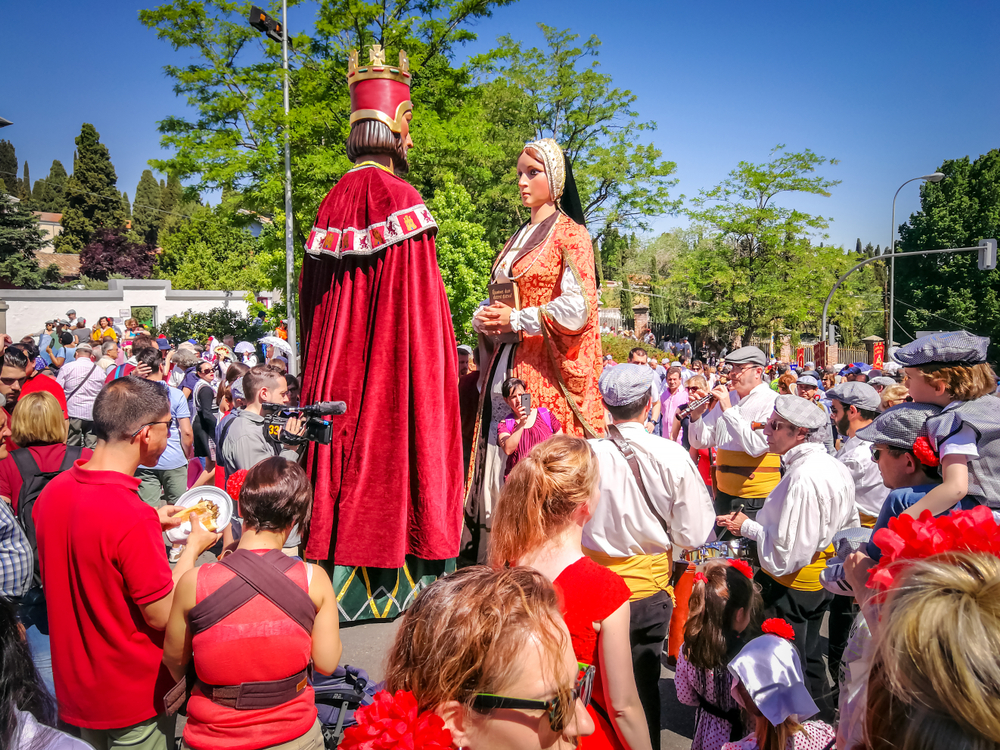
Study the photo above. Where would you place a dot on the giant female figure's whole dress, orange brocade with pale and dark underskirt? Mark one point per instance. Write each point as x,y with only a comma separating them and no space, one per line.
560,367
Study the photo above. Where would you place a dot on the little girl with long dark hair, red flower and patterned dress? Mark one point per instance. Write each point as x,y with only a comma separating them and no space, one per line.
723,601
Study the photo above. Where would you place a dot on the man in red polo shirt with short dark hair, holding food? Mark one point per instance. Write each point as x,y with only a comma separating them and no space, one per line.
104,570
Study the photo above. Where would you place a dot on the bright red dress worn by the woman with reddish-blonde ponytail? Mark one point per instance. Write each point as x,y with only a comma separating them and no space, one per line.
590,593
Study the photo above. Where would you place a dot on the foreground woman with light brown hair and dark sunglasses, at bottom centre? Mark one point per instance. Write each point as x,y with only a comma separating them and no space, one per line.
487,651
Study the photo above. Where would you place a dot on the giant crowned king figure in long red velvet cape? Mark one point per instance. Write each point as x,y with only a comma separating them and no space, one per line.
377,334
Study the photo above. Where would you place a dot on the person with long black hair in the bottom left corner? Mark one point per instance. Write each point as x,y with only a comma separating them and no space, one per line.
26,708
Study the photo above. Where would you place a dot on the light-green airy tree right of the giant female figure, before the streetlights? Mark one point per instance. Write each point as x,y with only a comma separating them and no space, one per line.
760,271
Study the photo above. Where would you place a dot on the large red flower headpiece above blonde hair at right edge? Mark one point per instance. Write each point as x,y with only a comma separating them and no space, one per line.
907,538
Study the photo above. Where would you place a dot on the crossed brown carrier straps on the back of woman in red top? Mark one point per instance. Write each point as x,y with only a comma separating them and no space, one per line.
255,575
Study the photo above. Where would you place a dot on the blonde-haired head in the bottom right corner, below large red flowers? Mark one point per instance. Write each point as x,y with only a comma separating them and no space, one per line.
935,676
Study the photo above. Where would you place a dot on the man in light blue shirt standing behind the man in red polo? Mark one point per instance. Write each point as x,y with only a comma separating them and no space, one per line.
166,481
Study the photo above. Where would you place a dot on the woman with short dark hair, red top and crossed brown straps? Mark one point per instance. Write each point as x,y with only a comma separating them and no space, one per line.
257,642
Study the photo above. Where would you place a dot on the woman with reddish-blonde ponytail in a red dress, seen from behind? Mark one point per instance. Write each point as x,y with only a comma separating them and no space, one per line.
538,522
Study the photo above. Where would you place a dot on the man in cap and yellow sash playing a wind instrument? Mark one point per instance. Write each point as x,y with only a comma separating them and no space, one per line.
746,472
